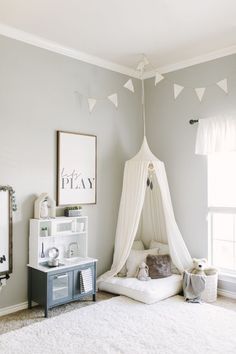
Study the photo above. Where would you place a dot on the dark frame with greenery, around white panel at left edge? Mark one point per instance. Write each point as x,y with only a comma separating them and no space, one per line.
11,206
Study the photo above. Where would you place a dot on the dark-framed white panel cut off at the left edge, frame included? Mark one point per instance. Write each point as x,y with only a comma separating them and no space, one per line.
6,207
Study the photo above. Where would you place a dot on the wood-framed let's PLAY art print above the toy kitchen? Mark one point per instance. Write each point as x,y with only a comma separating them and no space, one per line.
76,168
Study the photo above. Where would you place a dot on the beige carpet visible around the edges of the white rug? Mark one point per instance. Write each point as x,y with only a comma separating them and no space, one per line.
26,317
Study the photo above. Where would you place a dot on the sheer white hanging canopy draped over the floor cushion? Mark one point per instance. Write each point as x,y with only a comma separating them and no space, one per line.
146,213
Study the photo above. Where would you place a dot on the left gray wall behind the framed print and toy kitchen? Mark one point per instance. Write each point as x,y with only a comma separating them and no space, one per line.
37,97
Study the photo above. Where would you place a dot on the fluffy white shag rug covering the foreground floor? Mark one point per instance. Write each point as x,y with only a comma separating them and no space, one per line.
122,325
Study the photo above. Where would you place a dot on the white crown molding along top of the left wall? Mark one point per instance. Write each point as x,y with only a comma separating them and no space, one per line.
40,42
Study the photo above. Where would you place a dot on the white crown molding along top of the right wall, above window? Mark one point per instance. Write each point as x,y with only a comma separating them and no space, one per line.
193,61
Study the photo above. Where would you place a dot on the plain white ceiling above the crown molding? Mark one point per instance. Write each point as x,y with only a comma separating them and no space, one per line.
169,32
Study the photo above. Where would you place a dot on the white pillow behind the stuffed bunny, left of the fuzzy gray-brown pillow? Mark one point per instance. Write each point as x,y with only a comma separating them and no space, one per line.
135,258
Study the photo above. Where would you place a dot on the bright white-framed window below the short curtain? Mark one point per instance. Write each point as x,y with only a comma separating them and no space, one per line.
222,210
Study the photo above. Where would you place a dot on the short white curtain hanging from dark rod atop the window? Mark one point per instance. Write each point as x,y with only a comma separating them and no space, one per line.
217,134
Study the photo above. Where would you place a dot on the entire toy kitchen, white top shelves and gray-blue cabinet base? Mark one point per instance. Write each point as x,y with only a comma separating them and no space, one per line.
75,277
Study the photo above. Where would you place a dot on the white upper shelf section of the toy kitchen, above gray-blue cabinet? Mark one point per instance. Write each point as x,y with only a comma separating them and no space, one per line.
61,232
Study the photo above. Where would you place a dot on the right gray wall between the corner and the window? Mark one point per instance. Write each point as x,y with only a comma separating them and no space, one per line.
172,139
